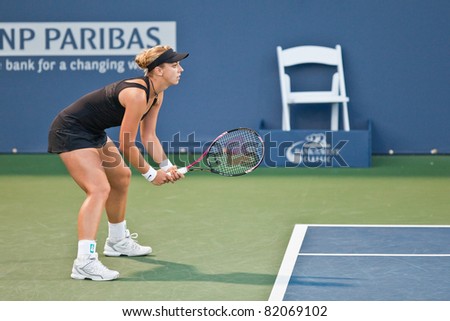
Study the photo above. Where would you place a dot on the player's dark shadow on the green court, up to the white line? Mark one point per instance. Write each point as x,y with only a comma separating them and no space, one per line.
171,271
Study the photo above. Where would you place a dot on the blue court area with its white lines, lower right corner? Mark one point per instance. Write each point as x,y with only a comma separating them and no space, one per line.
365,263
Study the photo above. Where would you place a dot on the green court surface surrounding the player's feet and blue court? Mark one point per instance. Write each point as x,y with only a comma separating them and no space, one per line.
213,238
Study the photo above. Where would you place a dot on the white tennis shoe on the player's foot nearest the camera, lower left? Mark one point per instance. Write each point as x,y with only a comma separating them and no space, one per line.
92,269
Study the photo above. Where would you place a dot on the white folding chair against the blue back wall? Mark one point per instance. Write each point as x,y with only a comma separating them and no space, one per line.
337,95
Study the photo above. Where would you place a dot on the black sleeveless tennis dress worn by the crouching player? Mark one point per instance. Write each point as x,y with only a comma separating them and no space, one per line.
83,124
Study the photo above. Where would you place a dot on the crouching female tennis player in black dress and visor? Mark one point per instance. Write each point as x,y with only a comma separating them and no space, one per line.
78,135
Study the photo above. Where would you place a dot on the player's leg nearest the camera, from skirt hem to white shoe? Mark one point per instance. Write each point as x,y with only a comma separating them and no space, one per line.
85,167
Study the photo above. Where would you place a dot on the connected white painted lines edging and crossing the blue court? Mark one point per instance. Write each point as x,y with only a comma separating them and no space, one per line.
296,241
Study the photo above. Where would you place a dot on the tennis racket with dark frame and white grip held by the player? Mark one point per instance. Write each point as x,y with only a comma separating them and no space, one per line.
233,153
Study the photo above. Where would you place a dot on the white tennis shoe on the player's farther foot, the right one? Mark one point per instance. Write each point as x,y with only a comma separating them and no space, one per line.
126,247
